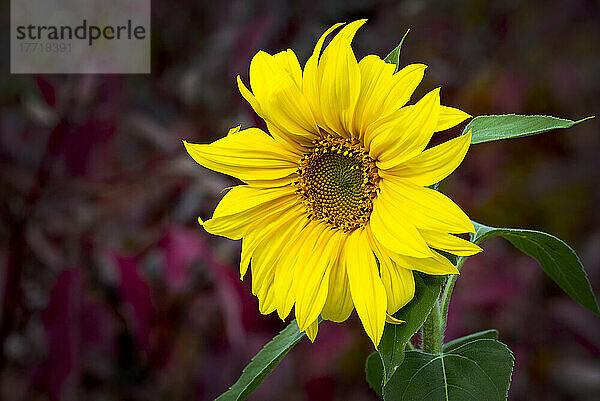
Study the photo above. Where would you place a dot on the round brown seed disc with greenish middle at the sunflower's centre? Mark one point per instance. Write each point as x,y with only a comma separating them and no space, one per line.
337,181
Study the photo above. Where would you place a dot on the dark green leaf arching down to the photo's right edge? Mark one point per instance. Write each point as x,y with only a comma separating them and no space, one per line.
558,260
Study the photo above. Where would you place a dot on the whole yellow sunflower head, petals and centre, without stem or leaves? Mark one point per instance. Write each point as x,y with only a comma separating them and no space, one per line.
335,211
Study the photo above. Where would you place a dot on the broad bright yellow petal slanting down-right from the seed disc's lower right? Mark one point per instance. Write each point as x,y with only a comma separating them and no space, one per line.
392,230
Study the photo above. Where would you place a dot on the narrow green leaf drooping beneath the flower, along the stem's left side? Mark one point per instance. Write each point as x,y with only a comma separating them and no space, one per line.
395,336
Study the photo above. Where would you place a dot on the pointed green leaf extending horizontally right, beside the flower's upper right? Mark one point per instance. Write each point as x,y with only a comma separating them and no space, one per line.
493,128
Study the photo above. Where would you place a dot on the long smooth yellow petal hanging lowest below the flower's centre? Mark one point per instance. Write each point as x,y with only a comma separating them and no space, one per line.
368,292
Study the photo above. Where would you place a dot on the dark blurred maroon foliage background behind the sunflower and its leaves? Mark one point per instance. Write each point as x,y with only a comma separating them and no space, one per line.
111,291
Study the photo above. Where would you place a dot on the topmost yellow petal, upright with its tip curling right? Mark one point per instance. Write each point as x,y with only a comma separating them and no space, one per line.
340,81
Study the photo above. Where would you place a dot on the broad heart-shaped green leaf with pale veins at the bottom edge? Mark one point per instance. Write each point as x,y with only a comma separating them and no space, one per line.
479,370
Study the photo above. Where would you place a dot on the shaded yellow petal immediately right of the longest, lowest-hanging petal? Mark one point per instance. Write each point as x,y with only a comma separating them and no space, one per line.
399,282
